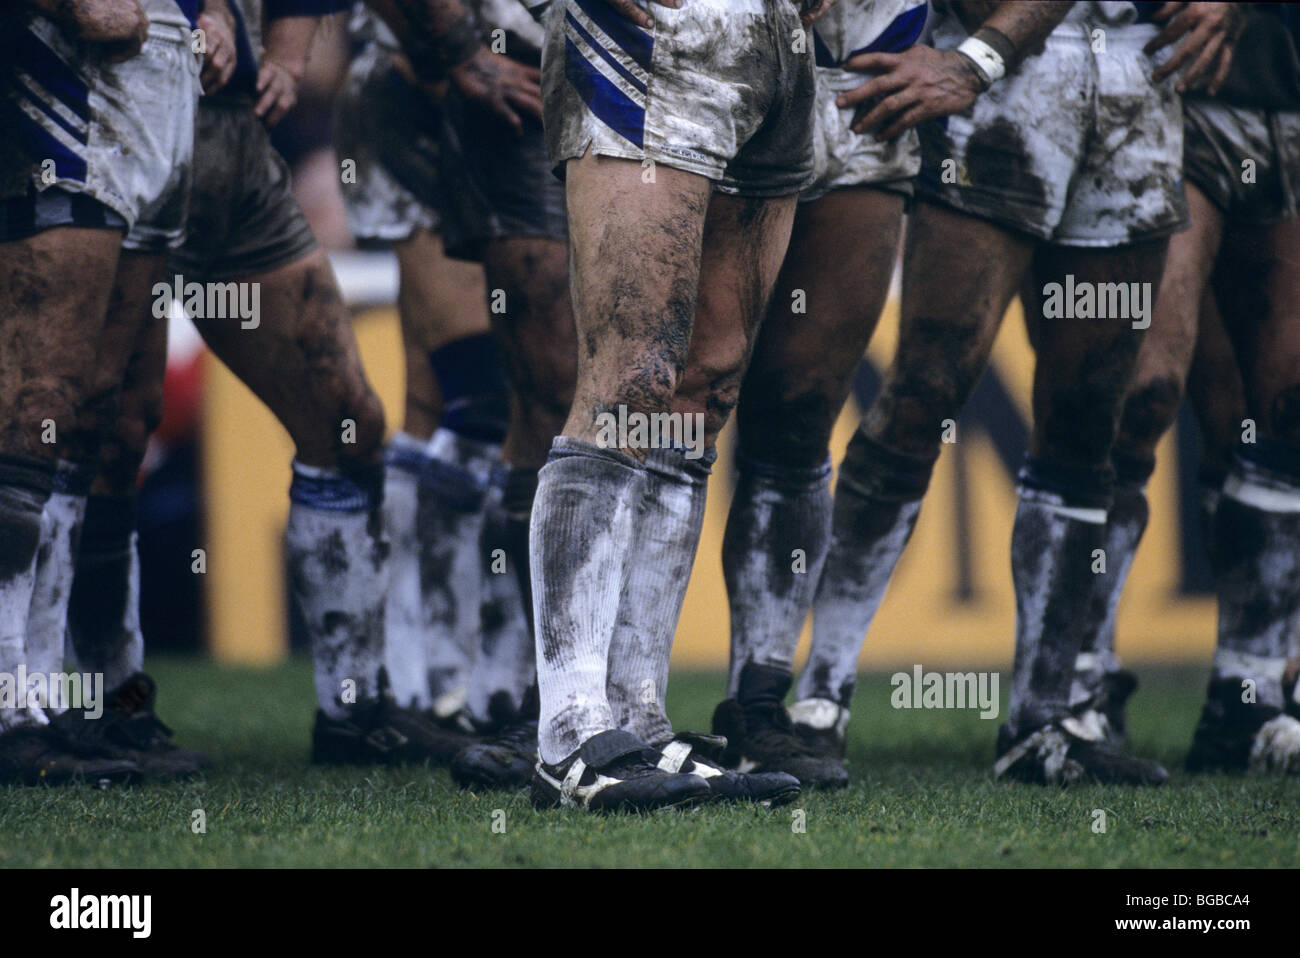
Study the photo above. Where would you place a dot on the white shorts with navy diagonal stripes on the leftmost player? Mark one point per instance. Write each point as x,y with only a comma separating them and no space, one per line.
118,135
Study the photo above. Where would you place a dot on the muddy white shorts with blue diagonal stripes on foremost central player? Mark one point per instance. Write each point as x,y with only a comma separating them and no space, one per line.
716,89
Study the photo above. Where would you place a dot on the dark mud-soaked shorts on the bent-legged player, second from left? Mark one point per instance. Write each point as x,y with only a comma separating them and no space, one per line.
244,218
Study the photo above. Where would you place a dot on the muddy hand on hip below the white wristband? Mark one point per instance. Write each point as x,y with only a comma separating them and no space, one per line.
920,84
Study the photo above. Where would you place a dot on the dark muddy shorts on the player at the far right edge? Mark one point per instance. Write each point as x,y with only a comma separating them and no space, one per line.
1219,142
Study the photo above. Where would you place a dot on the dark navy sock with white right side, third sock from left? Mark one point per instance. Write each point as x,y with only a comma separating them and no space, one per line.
105,608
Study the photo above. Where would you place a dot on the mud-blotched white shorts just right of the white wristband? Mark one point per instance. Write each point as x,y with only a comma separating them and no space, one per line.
1076,149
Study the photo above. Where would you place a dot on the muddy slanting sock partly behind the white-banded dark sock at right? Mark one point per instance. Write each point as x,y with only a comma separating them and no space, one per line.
1126,521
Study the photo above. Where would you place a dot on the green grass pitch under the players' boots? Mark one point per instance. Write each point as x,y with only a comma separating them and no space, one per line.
922,796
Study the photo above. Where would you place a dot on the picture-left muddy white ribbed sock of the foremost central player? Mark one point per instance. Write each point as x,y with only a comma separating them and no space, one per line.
583,522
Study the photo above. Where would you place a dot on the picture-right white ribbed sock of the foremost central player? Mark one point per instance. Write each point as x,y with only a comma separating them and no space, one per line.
666,534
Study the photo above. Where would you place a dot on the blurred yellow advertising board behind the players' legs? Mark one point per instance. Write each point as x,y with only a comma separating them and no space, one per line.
951,601
